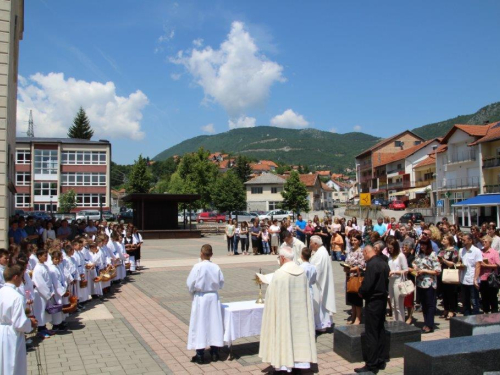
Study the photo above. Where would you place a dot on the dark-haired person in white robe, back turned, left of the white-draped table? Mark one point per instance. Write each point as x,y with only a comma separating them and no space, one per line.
205,326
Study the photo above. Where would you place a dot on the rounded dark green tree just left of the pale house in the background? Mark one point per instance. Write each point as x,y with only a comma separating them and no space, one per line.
229,193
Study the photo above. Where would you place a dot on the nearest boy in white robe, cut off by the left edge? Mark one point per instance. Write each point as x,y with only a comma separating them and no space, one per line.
13,324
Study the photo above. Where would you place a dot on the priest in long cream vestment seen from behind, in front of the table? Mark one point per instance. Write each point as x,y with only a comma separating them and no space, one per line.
287,336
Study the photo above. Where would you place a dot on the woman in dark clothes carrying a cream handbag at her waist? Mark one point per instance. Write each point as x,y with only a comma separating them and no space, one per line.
448,257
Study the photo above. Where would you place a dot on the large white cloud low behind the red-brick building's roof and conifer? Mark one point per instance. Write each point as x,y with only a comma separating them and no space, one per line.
56,100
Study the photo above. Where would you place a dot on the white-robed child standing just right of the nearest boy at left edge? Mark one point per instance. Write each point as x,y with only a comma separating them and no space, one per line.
44,291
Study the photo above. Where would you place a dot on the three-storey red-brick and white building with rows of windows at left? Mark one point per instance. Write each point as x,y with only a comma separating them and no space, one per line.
48,167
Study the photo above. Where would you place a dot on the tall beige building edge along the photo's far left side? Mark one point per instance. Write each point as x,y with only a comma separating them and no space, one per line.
11,32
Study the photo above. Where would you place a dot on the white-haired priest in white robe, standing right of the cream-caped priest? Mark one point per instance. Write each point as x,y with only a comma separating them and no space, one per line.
324,289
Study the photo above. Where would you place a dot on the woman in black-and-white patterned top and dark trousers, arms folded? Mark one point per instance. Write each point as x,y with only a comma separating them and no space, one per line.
427,266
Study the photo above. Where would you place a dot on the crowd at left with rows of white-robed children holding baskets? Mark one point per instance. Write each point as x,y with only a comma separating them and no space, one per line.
52,269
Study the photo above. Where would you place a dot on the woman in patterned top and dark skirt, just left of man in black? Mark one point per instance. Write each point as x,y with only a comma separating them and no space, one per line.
356,262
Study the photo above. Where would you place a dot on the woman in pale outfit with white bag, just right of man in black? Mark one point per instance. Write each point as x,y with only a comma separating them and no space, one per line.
399,267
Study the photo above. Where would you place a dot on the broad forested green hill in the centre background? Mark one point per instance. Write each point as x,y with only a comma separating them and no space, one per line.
312,147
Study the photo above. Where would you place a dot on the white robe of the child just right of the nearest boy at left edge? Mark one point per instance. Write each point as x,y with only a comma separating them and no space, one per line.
43,293
